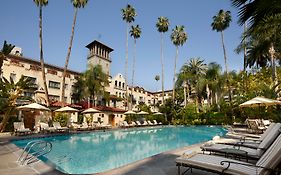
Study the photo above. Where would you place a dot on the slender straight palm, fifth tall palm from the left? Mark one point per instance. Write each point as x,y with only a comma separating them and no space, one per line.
162,27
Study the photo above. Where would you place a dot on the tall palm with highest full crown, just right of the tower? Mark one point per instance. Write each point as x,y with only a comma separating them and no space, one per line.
128,15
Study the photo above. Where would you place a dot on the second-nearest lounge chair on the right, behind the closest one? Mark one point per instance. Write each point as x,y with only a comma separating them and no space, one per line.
240,150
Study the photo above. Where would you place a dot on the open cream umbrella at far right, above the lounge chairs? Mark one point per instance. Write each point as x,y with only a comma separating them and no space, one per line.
260,101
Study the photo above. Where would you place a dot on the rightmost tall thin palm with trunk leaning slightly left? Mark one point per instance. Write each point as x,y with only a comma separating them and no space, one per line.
221,22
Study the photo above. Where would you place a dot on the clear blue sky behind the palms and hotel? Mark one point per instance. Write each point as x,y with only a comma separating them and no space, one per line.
102,20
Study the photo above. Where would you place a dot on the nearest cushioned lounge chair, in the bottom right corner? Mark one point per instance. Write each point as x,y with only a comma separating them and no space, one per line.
268,163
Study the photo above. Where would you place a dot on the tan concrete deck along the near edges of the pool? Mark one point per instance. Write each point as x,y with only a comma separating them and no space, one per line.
160,164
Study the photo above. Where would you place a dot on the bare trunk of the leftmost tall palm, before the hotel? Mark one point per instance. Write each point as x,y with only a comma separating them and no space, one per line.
41,57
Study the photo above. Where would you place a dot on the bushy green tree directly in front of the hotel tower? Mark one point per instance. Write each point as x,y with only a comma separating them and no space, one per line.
95,81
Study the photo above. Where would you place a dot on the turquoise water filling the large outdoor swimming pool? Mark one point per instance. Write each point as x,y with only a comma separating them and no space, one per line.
101,151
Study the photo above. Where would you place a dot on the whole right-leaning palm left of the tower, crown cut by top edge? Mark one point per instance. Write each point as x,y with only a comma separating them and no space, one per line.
77,4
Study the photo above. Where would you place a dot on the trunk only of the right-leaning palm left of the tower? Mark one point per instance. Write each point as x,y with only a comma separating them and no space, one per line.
67,57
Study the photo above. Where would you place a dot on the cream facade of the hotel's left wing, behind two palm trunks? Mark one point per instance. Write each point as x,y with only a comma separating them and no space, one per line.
17,66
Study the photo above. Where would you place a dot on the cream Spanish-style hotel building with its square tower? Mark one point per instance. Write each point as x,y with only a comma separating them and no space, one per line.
99,54
